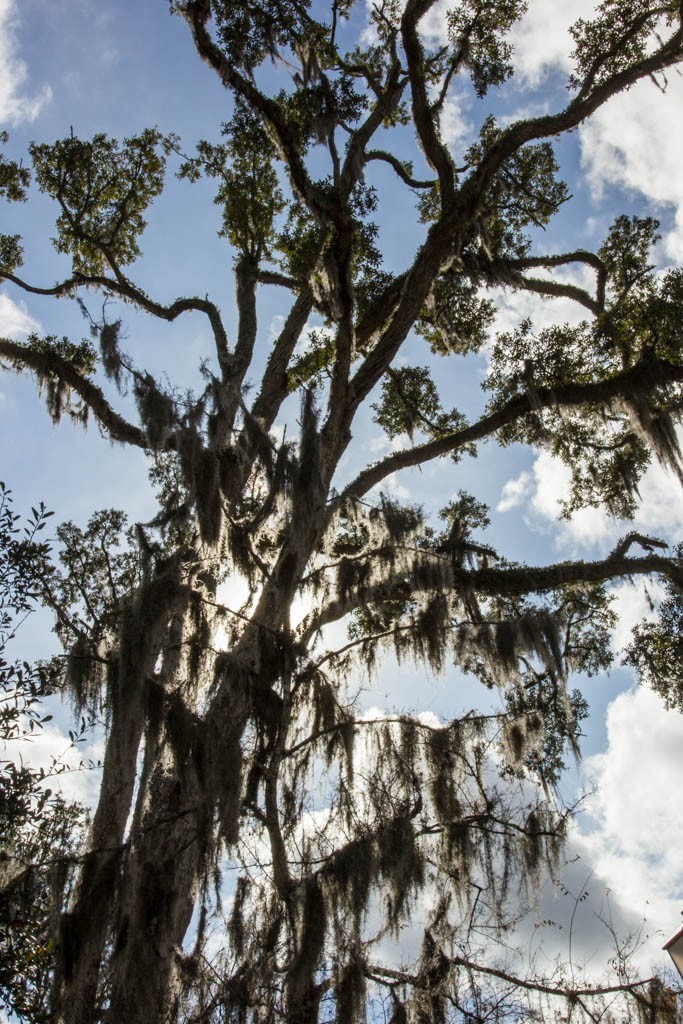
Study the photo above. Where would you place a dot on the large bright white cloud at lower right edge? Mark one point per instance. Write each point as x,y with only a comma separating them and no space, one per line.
637,833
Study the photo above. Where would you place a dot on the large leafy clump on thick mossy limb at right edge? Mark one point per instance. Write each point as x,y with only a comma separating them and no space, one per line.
608,446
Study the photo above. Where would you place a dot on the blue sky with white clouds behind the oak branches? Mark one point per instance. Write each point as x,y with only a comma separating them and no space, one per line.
124,65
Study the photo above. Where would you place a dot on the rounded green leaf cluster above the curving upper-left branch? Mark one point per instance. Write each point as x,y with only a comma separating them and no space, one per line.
104,191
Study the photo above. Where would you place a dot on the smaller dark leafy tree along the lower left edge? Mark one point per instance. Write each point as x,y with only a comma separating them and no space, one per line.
39,831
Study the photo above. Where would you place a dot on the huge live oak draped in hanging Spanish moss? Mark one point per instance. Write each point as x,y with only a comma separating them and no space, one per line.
237,771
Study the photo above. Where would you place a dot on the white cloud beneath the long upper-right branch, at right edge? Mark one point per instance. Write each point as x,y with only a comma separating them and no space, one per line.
636,142
